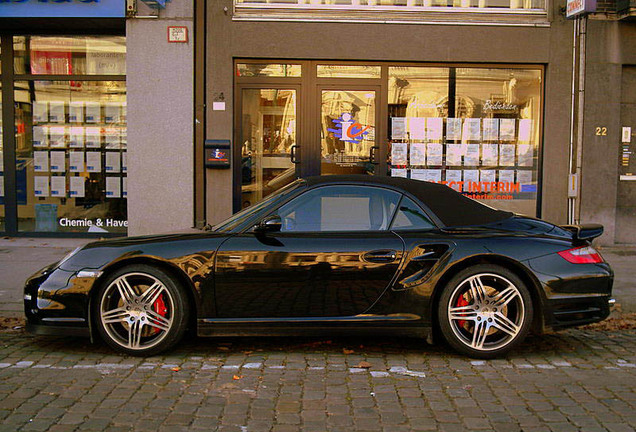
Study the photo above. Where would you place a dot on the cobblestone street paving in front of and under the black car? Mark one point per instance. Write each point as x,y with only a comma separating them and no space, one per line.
569,381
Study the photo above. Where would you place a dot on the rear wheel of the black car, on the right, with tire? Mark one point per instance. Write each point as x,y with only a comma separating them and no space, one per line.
484,311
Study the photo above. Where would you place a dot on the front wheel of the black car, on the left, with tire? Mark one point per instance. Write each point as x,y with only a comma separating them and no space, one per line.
140,310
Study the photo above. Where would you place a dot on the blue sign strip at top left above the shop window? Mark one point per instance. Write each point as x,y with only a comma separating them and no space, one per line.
62,9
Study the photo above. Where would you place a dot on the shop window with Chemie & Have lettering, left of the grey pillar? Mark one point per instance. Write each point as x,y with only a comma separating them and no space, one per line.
71,158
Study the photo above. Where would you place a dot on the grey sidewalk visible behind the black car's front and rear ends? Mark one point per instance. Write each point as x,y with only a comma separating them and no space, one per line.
21,257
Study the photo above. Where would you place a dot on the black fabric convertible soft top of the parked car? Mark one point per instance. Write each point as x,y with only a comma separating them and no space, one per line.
451,207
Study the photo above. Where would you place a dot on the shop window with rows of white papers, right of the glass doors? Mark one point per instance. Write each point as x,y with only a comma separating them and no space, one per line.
474,129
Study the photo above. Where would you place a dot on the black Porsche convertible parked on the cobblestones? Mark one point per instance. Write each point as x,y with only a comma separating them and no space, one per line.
327,254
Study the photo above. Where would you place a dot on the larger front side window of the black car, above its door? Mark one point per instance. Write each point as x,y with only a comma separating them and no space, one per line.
340,208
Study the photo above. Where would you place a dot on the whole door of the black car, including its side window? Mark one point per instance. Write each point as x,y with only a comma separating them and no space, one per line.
333,257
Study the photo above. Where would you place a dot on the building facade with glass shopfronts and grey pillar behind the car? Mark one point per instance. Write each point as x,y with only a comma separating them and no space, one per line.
483,95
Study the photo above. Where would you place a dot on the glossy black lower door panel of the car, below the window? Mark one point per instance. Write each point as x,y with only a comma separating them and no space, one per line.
304,275
